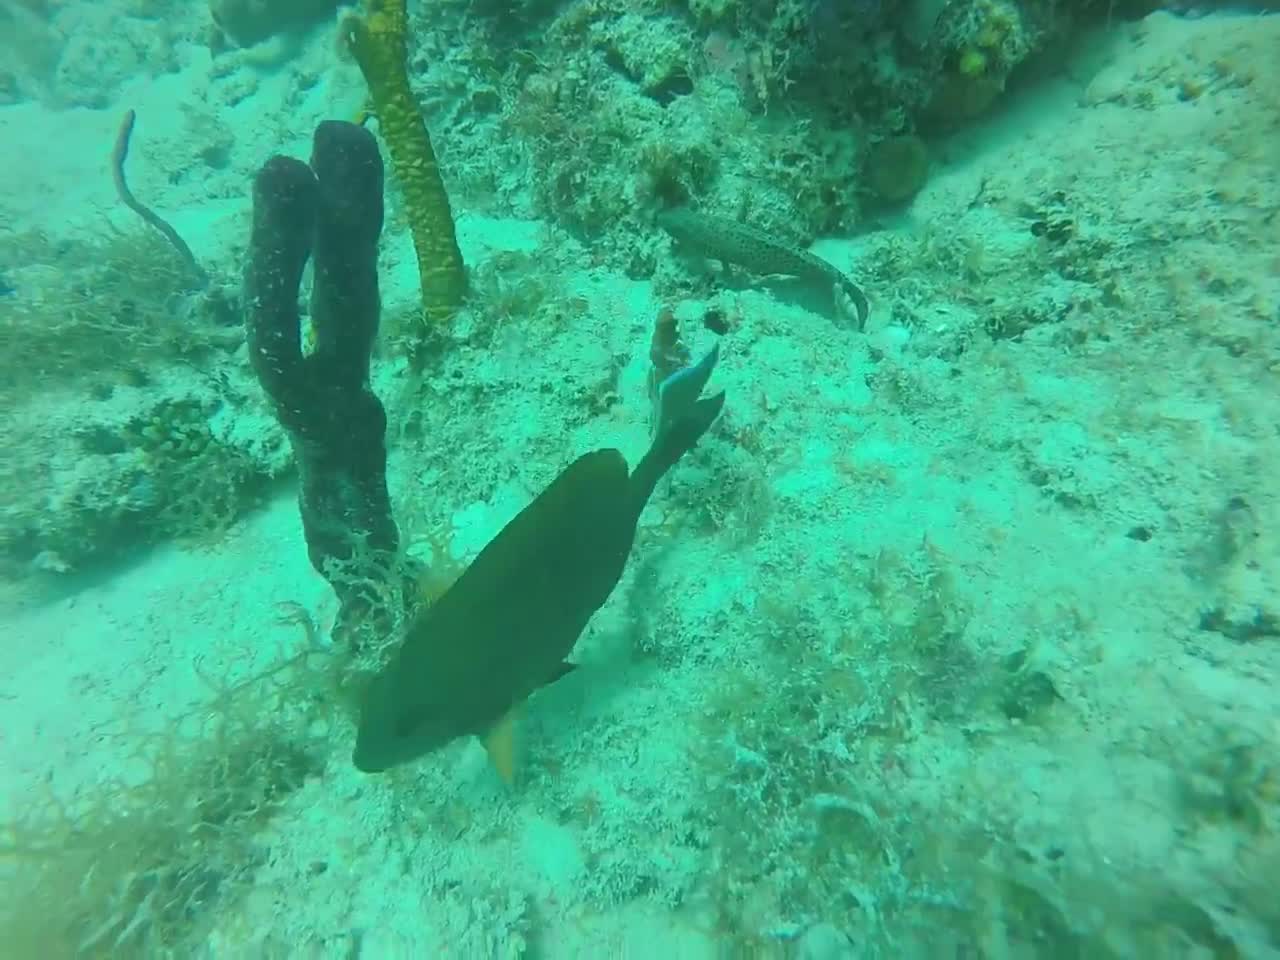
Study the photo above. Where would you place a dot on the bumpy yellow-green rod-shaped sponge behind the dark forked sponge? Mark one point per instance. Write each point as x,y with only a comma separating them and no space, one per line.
380,44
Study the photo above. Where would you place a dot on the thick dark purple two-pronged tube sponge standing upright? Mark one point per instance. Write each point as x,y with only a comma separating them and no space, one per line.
332,211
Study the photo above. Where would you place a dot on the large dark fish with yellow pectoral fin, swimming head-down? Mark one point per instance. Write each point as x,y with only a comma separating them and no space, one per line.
508,625
